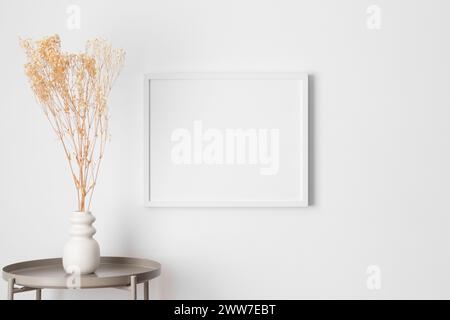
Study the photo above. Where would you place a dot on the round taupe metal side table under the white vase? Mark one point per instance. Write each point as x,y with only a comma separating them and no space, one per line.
113,272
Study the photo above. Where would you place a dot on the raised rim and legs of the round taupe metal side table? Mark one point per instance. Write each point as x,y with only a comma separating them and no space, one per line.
19,281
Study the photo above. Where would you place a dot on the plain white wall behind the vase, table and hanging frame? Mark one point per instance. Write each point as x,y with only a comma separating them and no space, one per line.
380,128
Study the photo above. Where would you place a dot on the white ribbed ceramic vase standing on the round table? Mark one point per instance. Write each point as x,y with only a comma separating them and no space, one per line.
81,253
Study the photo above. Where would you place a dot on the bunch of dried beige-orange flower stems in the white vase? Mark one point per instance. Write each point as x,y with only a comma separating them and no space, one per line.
73,91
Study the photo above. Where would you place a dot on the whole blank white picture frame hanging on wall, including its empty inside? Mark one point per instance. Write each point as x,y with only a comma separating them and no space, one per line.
226,140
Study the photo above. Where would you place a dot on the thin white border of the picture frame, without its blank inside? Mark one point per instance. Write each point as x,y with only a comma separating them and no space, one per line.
238,75
